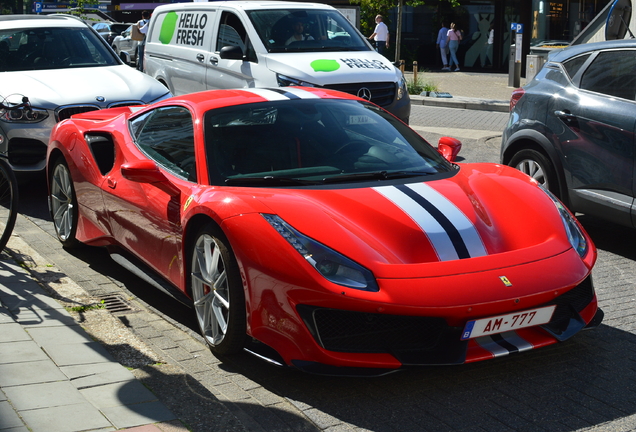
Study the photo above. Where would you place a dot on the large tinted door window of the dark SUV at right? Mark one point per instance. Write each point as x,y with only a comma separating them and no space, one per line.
612,73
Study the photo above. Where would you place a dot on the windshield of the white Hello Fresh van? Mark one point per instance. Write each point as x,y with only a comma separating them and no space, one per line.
306,30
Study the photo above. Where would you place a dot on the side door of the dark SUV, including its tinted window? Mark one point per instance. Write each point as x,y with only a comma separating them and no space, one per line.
595,127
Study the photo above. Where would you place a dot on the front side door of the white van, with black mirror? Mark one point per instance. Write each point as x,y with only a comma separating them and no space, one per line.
232,71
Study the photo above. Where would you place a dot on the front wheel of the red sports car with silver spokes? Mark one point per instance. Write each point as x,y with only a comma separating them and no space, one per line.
217,291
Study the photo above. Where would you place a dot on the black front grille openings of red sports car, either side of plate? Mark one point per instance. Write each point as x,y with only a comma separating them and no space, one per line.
415,339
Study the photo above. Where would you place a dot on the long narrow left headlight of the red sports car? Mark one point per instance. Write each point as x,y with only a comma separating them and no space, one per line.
333,266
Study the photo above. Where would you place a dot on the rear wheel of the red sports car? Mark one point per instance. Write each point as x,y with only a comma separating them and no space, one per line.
63,204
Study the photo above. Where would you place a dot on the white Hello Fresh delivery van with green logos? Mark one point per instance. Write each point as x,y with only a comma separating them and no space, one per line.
241,44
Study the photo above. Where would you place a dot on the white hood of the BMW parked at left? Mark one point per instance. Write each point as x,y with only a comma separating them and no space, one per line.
96,85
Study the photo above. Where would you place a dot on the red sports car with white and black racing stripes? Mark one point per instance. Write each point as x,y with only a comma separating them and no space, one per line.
315,230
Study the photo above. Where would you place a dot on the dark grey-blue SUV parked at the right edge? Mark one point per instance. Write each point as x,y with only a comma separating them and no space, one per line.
572,129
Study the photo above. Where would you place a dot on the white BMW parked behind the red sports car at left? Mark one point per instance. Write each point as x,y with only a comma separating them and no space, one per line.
64,67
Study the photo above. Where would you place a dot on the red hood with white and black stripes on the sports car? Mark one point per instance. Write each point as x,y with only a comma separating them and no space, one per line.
477,213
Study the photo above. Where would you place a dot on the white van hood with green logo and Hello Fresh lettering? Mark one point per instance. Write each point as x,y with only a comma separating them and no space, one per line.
326,68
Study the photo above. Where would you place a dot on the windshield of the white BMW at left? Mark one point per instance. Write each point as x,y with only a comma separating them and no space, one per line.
42,48
